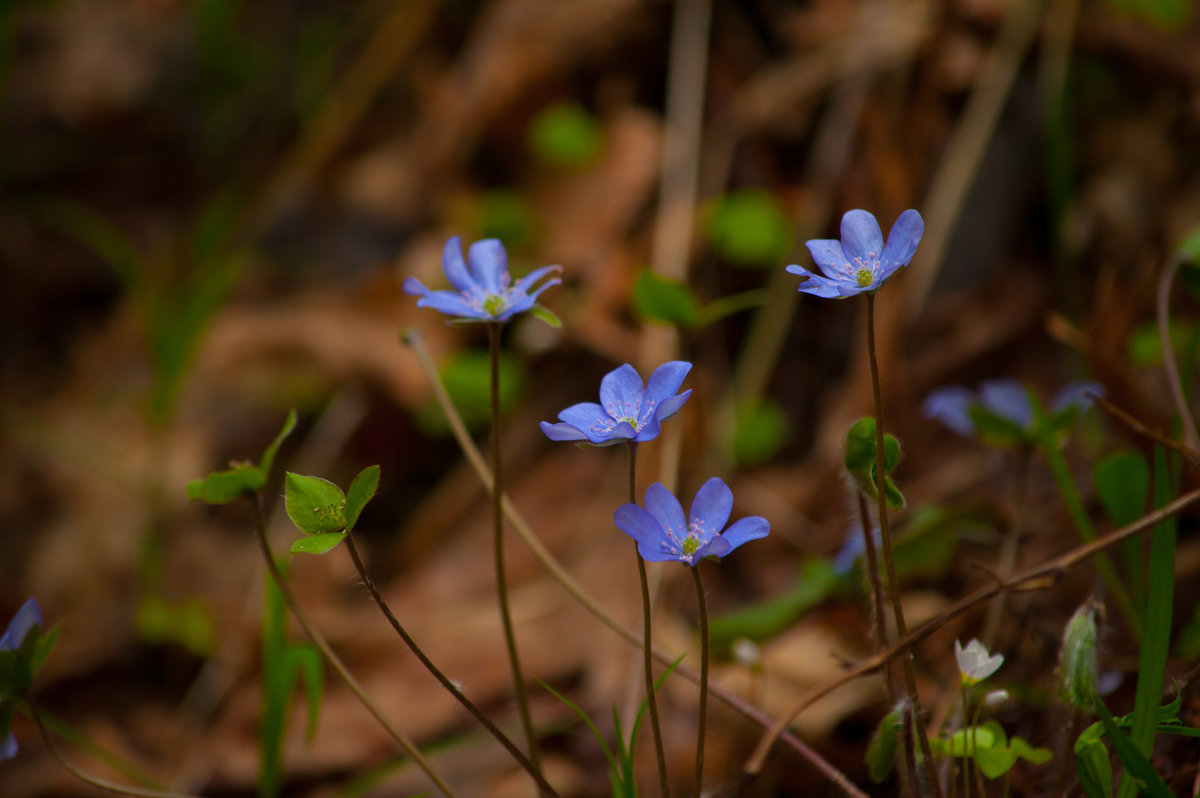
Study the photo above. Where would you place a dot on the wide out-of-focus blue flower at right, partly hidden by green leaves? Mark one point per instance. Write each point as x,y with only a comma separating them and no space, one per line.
1006,401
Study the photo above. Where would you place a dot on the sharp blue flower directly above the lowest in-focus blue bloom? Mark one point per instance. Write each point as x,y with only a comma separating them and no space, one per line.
627,410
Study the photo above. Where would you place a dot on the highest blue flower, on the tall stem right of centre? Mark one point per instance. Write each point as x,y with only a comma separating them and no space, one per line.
861,263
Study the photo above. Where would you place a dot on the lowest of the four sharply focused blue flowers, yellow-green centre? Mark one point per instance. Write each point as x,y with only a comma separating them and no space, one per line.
664,535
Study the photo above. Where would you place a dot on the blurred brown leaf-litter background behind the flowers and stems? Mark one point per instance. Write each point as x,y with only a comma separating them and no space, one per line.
207,211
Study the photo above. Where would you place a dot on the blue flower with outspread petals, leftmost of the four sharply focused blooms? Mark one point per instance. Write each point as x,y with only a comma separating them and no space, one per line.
484,291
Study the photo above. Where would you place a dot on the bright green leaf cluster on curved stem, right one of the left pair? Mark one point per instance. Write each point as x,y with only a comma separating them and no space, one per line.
321,511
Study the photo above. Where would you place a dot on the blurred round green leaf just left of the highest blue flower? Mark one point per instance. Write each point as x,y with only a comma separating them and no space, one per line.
748,229
